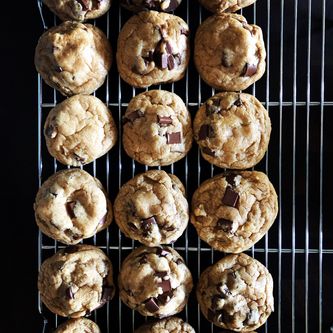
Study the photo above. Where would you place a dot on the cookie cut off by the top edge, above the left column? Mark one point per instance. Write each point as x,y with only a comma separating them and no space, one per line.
78,10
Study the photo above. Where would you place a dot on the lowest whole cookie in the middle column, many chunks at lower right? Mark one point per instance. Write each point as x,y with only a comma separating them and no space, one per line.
155,281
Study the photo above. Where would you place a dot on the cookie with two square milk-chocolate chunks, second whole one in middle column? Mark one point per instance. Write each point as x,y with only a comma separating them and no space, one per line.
157,128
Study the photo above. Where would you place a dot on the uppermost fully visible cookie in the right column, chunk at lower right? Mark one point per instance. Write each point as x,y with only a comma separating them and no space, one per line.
229,53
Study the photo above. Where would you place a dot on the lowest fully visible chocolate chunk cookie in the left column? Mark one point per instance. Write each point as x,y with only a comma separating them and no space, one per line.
76,280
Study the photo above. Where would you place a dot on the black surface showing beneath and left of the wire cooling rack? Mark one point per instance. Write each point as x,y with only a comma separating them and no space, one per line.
19,137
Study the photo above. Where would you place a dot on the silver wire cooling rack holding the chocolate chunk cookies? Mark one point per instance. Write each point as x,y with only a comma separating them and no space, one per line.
298,250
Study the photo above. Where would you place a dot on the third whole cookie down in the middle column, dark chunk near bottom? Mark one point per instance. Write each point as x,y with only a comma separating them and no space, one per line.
152,208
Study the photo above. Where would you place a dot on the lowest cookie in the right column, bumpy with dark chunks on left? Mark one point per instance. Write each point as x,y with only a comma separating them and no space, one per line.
236,293
